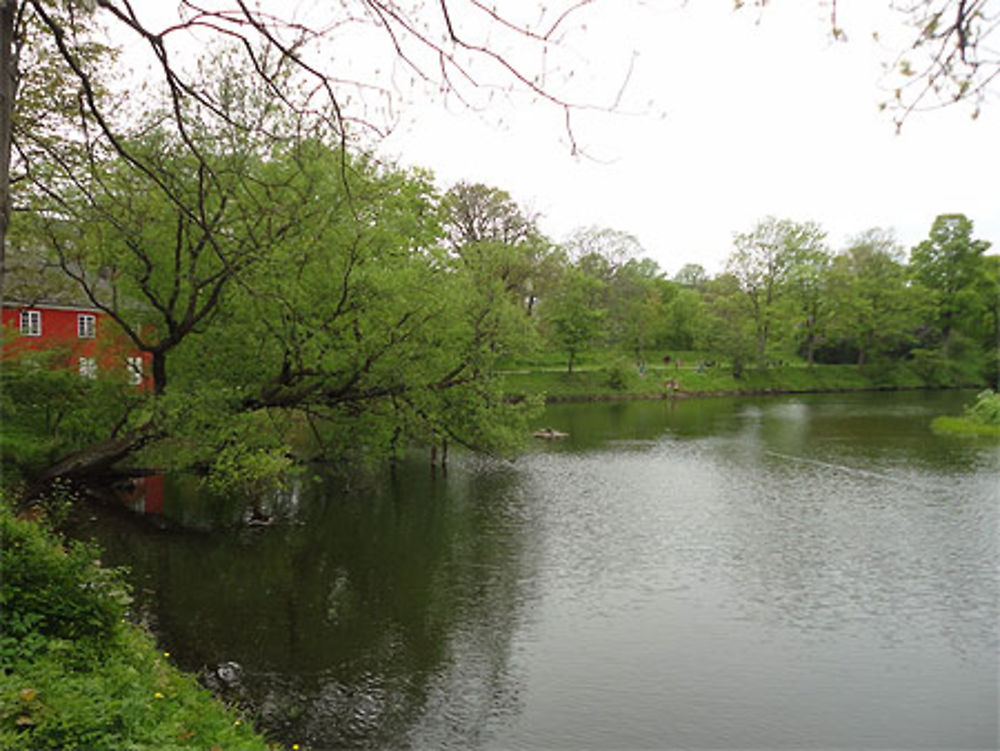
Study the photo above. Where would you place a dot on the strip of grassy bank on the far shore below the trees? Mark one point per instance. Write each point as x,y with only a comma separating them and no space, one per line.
624,380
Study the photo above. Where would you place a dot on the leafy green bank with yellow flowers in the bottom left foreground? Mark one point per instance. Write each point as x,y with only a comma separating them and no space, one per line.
75,674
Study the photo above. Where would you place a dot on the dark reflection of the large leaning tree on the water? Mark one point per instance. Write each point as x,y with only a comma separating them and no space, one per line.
355,611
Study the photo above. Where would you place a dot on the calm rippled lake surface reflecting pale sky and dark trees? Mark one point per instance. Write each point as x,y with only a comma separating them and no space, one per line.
791,572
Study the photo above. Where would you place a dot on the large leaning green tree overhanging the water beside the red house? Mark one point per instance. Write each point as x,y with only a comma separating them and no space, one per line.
327,269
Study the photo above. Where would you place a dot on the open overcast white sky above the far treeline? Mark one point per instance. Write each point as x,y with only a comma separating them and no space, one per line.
748,119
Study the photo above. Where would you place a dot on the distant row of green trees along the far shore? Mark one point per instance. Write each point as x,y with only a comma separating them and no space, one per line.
784,293
